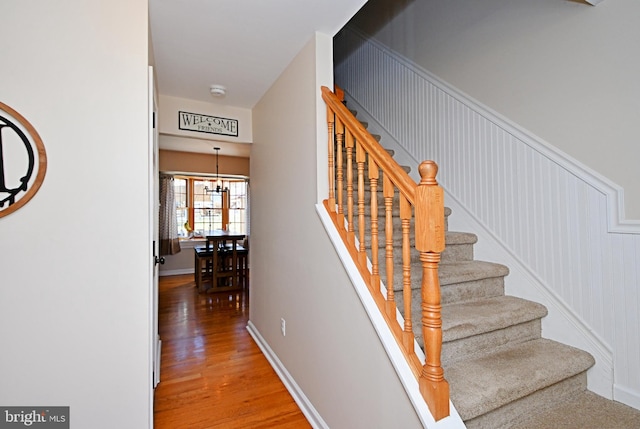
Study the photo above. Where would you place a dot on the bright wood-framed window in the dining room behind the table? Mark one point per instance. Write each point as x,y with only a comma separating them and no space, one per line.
202,210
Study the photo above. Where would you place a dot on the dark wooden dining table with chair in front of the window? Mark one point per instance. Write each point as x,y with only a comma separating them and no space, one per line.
213,261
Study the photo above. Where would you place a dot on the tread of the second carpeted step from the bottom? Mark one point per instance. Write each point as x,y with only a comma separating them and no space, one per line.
477,317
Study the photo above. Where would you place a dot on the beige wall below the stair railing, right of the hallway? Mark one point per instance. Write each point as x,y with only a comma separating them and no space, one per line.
330,348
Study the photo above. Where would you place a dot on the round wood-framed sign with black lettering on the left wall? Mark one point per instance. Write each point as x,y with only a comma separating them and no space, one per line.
23,161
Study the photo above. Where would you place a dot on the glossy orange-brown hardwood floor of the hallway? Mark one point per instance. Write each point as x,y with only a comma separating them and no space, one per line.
213,375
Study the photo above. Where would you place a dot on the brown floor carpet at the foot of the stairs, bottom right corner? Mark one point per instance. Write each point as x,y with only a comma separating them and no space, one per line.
584,411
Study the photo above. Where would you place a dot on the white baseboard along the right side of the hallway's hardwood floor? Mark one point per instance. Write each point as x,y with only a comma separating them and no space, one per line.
303,402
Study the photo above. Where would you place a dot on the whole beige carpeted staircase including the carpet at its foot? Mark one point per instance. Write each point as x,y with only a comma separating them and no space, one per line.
501,372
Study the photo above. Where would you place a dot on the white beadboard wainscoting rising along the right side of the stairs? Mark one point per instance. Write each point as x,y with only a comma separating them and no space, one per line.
559,219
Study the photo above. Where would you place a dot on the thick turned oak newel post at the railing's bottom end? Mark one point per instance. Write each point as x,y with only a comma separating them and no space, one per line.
429,227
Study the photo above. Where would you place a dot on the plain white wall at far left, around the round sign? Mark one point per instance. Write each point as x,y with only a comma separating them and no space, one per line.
74,292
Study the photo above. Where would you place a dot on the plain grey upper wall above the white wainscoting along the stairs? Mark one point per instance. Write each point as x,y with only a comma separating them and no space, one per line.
564,70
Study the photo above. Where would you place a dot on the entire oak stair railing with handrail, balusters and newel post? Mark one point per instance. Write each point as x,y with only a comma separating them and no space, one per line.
426,201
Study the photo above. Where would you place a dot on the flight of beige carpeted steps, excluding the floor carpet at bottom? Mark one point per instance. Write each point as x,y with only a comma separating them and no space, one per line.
492,349
